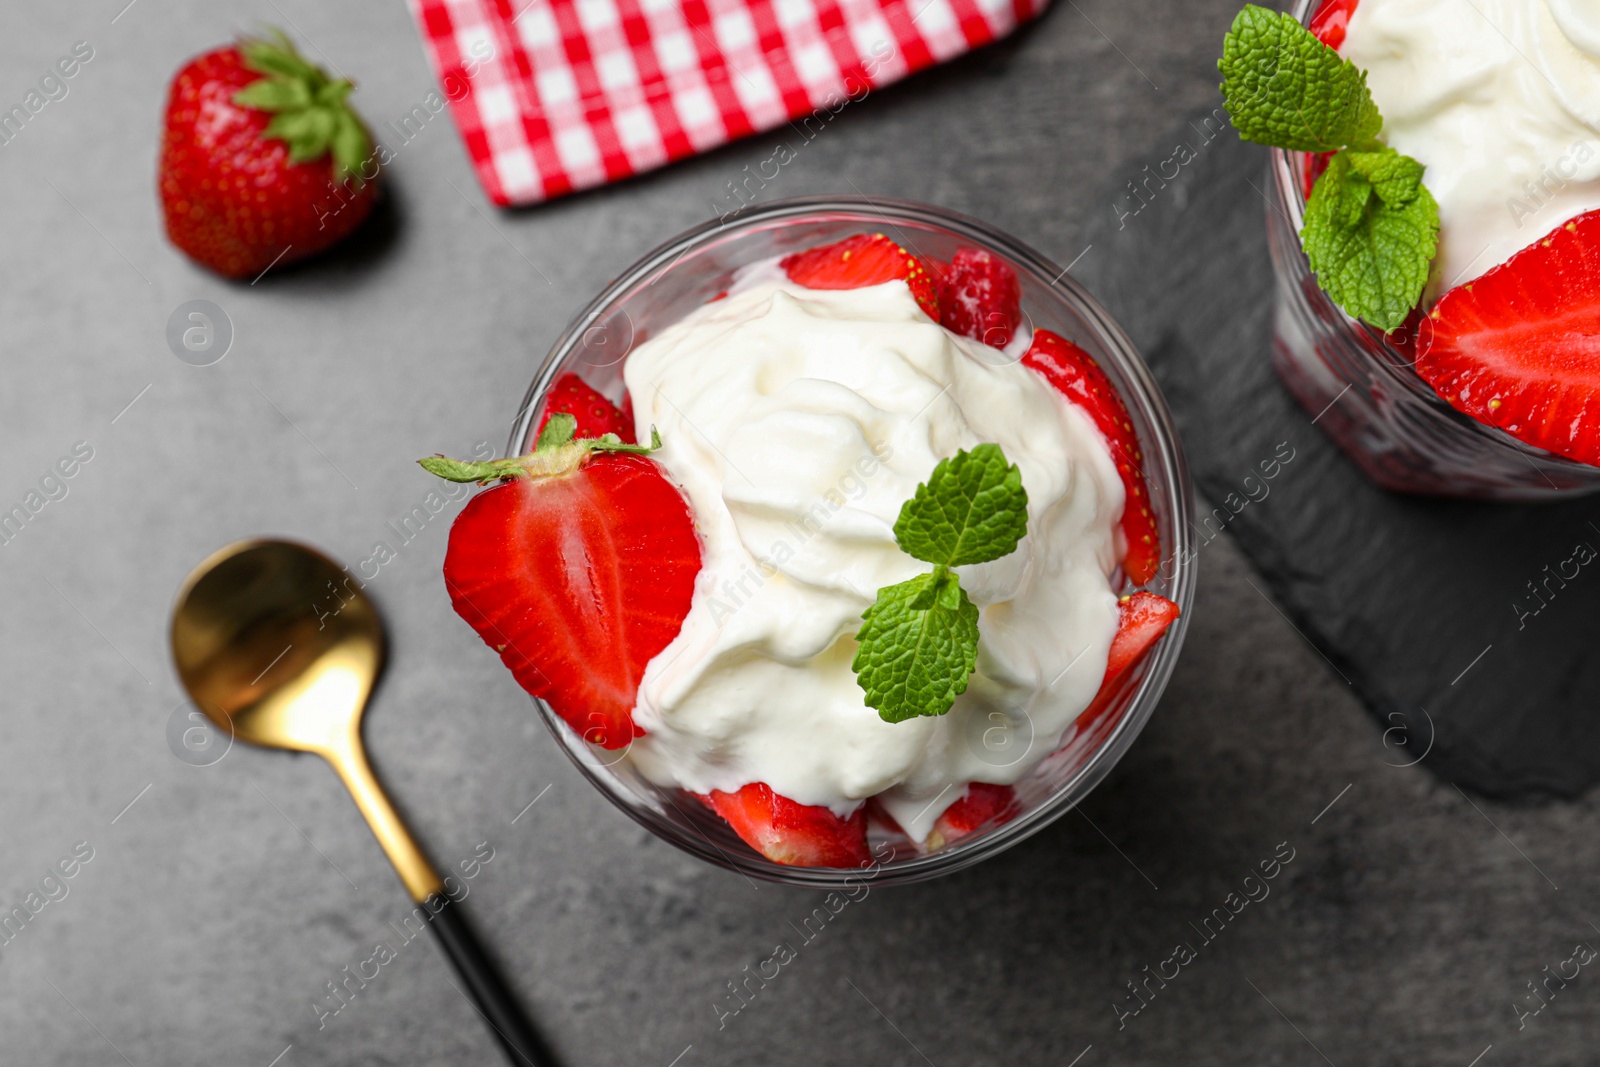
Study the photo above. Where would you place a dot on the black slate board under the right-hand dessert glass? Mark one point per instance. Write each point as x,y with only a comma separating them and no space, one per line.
1415,602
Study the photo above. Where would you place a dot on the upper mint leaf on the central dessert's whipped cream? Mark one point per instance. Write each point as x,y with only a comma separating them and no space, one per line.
972,510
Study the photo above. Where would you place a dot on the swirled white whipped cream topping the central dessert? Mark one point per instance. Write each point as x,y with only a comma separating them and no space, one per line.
798,423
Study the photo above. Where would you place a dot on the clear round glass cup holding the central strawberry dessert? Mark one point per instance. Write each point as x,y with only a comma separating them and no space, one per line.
686,274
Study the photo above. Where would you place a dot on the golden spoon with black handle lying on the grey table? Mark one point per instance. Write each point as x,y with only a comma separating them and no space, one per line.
278,647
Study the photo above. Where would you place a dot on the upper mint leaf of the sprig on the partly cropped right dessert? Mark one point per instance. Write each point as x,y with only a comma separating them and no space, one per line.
1286,89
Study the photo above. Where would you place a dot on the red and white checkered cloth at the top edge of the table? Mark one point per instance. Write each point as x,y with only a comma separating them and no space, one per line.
561,95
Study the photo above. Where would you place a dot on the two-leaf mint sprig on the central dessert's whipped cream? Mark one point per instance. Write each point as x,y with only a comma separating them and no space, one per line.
918,645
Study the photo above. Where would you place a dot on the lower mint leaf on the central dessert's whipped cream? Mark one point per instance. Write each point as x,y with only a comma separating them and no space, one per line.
918,647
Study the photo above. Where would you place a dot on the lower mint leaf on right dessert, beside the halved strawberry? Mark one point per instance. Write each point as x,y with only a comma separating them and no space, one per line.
1372,231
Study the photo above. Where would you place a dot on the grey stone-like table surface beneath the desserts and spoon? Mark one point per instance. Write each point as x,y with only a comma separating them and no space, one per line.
222,900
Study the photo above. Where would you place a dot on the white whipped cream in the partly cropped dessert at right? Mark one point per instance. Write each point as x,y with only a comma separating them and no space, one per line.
1502,102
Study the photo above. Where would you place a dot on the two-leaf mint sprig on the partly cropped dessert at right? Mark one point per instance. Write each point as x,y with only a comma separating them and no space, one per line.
1372,228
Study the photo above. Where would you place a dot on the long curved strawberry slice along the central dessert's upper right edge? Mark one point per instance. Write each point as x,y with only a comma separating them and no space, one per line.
1081,380
